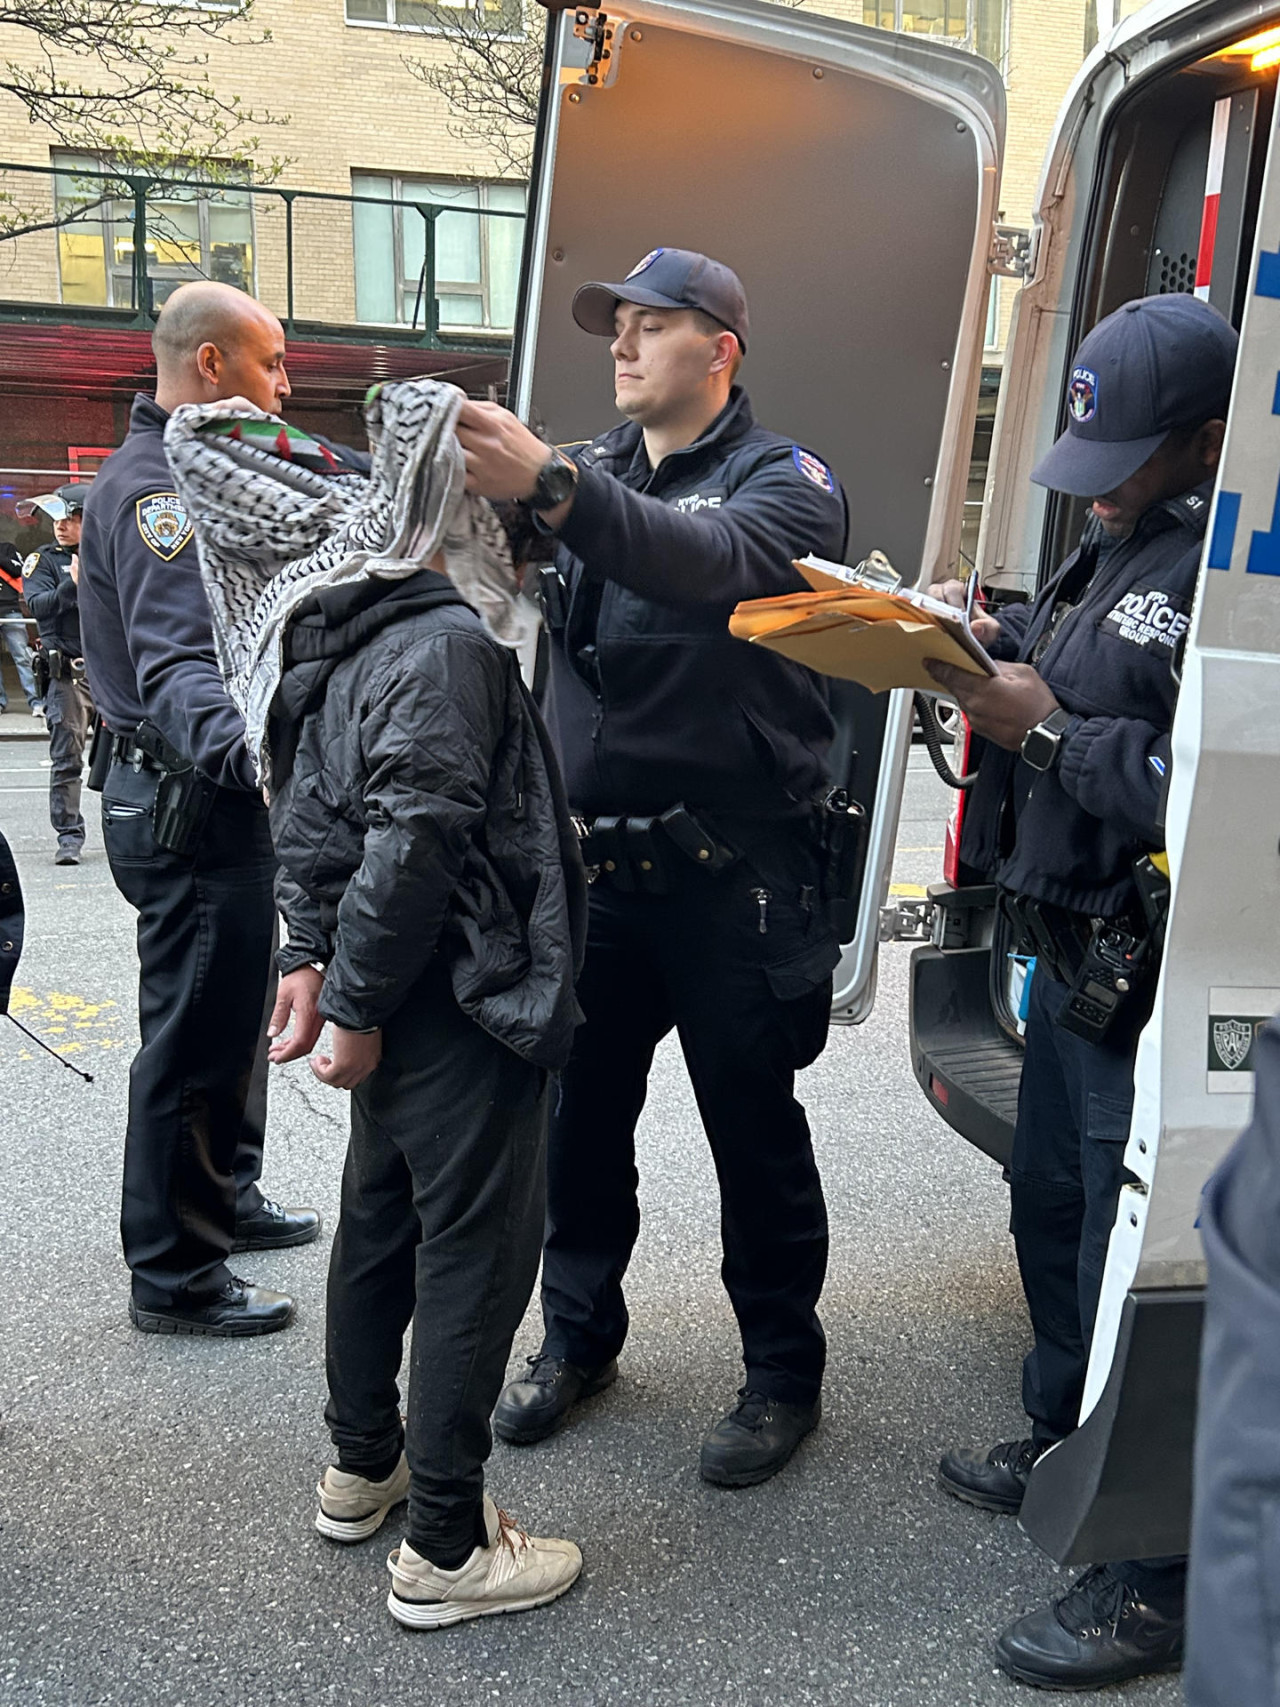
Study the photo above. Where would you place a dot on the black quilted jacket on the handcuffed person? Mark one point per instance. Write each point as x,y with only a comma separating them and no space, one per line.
417,813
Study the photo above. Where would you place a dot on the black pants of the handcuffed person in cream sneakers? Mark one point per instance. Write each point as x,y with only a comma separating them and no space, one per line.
441,1223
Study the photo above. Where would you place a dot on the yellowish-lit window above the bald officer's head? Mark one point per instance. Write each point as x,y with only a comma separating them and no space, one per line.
192,233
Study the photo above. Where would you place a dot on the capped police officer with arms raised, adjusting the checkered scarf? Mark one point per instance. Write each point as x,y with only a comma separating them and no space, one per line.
695,762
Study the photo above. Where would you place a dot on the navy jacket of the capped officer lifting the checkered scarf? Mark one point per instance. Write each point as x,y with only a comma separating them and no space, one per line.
651,701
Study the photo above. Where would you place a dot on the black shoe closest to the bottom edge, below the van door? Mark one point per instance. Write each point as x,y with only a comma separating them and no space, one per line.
1098,1633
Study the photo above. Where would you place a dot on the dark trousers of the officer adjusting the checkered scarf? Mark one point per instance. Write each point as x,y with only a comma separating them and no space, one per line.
750,1008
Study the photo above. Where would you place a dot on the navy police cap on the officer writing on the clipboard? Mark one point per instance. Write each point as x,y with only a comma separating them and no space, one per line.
1153,366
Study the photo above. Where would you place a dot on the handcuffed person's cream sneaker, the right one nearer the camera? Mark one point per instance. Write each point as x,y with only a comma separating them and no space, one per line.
515,1573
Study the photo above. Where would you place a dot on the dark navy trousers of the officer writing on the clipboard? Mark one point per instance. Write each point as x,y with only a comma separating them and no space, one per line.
1074,1110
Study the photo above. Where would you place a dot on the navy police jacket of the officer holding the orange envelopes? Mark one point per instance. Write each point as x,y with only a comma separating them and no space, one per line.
1069,836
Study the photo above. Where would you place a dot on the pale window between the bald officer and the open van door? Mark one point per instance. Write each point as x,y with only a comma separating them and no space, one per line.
477,253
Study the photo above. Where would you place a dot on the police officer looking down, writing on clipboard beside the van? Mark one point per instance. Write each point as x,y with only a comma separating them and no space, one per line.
1066,808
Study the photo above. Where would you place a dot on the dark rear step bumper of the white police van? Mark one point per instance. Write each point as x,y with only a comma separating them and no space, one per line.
965,1064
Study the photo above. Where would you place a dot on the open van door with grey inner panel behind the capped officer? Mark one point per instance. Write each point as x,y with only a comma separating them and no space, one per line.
851,178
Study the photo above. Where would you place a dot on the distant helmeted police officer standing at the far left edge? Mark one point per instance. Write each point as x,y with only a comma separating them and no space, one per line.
52,580
